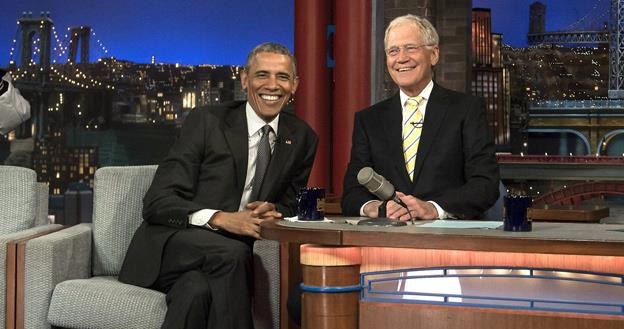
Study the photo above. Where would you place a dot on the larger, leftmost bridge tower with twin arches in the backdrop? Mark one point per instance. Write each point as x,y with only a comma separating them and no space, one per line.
31,27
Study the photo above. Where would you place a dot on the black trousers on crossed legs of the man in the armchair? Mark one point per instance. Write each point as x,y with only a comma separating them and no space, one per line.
208,279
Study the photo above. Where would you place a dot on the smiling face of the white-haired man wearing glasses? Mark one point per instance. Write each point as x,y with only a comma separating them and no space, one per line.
411,69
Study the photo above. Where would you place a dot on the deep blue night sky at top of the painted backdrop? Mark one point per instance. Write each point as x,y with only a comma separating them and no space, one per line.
223,31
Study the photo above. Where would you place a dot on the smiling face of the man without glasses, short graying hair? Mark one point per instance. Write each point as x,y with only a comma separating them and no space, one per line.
269,81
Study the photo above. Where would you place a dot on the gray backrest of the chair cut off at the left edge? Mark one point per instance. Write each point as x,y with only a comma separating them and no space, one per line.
18,195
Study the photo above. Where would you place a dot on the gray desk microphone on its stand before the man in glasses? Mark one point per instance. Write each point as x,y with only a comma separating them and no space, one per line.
385,191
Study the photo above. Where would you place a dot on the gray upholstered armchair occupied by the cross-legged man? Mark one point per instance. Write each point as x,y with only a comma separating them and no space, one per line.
75,270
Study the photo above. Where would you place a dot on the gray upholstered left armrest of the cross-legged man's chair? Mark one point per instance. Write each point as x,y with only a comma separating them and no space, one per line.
50,259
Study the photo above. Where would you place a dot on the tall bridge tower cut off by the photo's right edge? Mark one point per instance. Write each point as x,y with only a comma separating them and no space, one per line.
616,50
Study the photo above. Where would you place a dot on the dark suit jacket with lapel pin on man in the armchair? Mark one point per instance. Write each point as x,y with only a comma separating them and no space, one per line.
206,168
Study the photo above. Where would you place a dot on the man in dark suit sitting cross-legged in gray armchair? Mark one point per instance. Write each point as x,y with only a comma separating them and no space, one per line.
208,198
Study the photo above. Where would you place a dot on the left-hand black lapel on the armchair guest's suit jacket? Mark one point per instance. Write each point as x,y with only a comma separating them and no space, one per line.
236,136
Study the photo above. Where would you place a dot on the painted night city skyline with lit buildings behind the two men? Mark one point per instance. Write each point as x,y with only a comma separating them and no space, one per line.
120,111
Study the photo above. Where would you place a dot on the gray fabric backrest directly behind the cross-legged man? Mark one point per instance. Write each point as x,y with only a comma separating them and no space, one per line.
117,206
